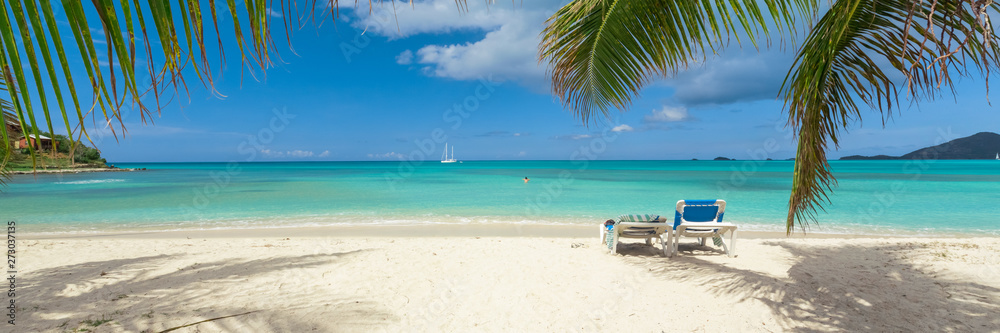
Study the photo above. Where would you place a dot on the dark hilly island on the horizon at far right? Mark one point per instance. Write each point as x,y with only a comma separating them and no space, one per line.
979,146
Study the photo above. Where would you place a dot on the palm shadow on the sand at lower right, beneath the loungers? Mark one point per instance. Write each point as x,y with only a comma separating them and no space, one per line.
874,288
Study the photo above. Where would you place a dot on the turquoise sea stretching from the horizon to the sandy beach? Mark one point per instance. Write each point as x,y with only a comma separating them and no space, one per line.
872,197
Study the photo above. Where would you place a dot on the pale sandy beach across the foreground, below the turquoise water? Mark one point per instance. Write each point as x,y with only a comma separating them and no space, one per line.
499,278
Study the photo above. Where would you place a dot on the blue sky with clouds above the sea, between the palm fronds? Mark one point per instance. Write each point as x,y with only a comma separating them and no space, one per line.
399,83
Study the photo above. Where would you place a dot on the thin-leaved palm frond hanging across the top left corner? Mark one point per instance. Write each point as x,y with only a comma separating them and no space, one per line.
31,40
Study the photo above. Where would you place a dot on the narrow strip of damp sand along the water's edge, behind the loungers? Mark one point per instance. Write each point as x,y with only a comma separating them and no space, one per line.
437,231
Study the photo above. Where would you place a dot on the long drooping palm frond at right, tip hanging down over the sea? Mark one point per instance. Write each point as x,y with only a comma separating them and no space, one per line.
850,55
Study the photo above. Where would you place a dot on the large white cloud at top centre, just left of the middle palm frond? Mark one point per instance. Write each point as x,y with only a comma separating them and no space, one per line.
507,52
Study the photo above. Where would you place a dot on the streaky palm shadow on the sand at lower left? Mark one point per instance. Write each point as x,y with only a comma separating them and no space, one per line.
135,295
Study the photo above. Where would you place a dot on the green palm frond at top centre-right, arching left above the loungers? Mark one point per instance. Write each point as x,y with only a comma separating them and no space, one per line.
601,53
